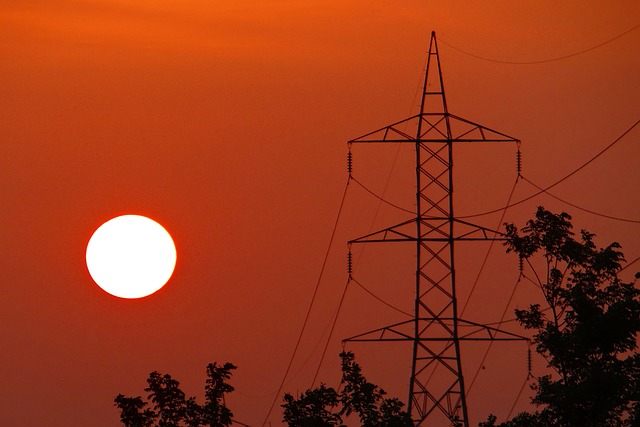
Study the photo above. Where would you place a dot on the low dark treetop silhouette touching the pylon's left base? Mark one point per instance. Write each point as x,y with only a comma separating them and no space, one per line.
325,407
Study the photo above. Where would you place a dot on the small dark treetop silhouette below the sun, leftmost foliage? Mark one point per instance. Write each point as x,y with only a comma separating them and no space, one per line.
171,408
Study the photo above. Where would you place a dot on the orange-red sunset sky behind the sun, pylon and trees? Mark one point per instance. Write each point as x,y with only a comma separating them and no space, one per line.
227,123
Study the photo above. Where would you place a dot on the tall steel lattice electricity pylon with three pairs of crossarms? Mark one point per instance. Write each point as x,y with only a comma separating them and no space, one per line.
436,387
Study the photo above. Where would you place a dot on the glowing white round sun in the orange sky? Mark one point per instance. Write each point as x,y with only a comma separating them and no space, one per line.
131,256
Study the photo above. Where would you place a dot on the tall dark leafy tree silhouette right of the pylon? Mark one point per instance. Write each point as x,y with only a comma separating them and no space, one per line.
587,331
